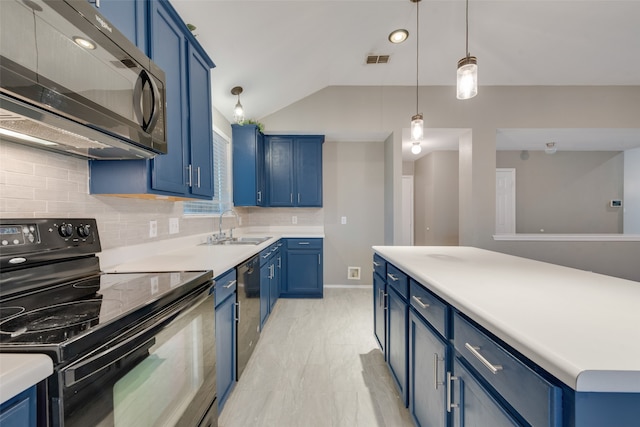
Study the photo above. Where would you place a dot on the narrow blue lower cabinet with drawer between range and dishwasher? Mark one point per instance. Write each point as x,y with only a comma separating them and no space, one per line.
226,334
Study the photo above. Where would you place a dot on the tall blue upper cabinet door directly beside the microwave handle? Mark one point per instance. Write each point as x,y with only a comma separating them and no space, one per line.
168,51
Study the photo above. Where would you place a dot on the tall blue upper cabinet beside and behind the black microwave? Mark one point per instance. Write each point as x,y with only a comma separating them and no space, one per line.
186,171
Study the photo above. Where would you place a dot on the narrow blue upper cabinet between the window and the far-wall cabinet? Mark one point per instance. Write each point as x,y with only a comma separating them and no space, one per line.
248,166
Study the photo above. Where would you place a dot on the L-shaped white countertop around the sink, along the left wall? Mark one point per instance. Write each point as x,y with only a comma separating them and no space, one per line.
187,254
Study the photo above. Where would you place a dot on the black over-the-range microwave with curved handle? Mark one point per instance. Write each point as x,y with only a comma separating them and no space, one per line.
71,82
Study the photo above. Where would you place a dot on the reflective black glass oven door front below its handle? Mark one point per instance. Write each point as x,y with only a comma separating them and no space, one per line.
166,380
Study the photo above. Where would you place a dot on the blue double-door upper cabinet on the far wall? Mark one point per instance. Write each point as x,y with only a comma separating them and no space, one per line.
294,170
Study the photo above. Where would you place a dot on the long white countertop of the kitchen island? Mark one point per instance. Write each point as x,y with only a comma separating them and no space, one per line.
582,327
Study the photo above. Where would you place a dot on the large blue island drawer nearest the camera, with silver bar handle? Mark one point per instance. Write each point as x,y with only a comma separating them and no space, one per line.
535,399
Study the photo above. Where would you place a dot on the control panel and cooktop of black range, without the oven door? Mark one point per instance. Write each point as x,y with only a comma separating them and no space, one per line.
55,300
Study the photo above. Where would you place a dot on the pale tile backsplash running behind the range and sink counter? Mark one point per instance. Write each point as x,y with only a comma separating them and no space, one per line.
39,183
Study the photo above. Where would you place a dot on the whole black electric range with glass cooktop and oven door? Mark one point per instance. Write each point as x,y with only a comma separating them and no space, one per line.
113,338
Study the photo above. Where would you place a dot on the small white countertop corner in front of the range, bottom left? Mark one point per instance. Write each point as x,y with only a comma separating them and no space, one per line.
18,372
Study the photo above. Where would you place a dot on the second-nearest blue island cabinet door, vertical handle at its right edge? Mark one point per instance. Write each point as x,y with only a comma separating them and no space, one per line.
427,374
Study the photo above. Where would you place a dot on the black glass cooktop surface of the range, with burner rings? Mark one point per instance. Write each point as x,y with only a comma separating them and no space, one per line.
75,309
